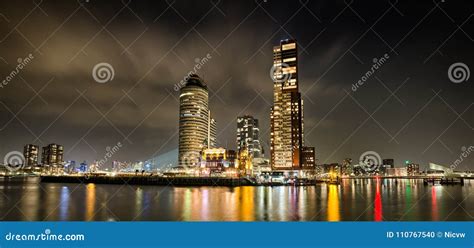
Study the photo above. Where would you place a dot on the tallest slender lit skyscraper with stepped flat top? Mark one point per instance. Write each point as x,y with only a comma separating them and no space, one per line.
287,111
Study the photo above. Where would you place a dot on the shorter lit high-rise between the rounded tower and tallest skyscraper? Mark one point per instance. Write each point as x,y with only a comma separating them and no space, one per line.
248,135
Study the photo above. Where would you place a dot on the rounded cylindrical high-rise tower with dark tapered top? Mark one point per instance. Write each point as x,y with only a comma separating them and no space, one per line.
197,128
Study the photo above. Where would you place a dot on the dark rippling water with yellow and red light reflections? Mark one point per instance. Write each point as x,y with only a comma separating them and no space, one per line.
359,199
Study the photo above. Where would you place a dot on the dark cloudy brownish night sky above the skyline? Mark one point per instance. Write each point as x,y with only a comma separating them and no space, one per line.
408,110
